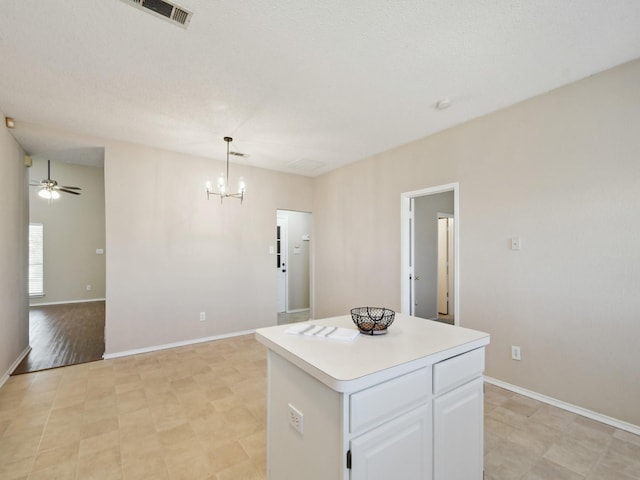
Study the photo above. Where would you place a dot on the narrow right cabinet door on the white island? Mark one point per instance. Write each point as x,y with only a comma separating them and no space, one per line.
458,433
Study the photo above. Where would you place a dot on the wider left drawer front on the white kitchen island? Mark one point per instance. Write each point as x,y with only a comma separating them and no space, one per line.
386,400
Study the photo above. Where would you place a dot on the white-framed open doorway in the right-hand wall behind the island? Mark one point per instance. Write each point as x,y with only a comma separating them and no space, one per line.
428,285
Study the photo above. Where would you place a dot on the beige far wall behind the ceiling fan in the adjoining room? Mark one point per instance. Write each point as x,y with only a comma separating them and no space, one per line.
73,230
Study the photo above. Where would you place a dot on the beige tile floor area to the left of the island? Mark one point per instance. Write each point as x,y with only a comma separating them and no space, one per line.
196,412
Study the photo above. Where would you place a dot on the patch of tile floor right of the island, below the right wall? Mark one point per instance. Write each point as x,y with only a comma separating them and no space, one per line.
529,440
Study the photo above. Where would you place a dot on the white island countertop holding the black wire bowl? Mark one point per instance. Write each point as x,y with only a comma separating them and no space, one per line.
410,343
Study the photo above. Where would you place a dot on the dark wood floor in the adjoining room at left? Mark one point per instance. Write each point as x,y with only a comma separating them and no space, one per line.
62,335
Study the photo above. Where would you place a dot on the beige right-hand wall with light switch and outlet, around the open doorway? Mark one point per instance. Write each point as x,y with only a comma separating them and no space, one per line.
561,171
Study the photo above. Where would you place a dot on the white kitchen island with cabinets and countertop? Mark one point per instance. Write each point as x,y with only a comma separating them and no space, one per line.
405,405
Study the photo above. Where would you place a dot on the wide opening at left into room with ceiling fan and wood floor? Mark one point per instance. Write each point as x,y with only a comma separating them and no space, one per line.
67,274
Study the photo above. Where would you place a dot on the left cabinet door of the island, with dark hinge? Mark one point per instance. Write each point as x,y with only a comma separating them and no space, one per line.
400,448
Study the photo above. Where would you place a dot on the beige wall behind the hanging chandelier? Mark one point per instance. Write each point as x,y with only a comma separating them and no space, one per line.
172,254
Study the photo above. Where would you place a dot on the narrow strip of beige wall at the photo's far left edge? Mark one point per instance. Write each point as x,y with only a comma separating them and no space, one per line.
14,217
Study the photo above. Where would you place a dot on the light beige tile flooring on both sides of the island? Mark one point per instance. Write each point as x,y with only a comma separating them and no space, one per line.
198,412
